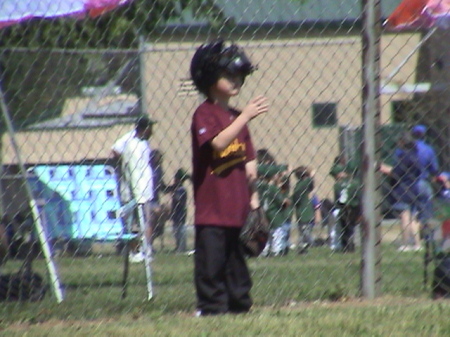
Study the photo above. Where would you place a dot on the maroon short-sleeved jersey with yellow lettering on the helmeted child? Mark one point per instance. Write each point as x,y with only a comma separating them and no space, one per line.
221,191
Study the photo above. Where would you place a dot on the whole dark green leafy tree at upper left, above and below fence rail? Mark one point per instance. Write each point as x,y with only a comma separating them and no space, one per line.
37,82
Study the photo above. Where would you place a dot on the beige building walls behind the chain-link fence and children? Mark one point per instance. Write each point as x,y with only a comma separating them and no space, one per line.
293,74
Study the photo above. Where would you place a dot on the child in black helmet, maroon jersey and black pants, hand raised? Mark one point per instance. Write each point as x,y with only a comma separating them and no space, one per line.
224,175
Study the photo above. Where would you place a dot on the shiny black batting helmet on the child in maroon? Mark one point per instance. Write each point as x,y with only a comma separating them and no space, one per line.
215,57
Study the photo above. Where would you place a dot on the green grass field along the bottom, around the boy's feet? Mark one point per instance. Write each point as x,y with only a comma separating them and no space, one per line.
297,295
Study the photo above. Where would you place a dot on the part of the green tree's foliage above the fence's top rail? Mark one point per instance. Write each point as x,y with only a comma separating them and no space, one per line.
116,29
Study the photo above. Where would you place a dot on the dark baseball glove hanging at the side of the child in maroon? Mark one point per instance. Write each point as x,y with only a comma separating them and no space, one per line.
255,232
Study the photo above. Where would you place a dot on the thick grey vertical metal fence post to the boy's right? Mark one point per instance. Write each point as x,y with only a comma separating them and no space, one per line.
370,223
